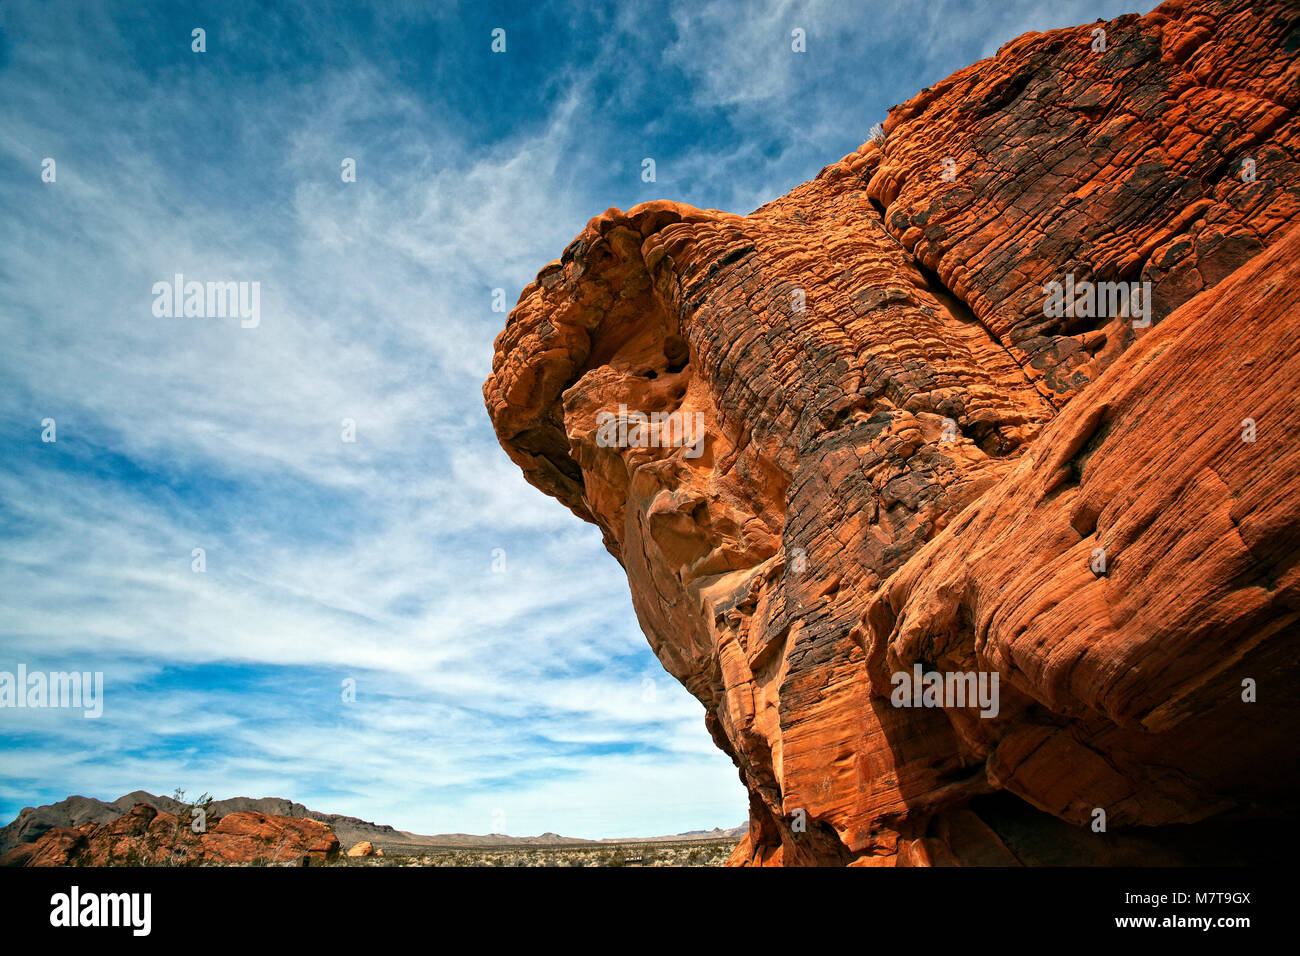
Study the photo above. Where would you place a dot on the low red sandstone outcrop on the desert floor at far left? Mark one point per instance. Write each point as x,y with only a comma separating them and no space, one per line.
150,838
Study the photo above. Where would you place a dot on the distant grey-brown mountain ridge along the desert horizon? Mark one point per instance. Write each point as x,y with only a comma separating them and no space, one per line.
34,821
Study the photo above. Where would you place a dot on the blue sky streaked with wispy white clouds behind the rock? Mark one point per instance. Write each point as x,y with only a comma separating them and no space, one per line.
522,699
